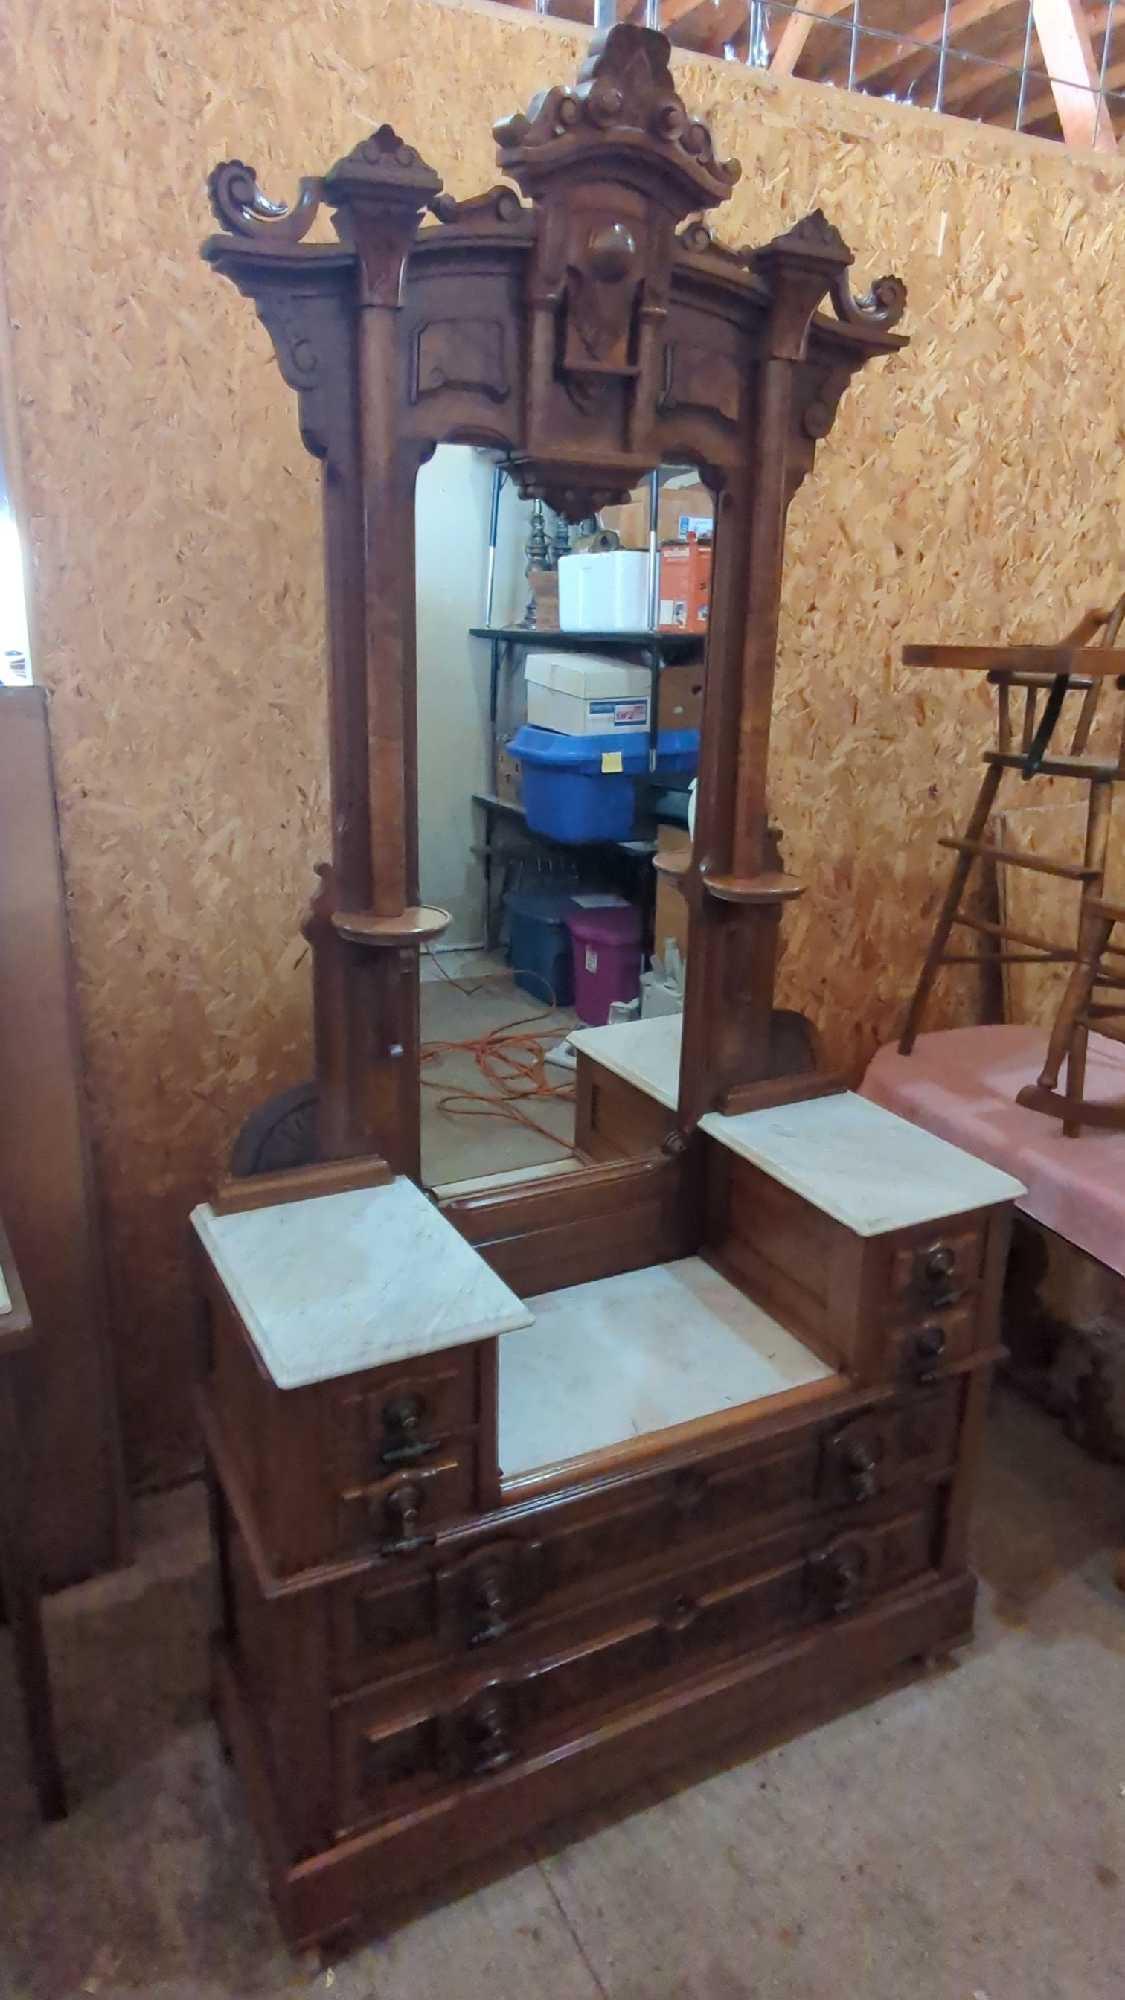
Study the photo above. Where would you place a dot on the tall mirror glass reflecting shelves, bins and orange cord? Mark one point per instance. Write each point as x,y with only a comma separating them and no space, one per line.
559,709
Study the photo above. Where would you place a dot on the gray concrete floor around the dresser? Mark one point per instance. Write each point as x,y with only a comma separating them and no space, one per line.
962,1839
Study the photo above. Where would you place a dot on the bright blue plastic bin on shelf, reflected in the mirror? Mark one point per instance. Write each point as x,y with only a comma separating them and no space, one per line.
566,789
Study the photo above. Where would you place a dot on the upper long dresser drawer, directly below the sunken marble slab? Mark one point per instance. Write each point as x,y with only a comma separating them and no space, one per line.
471,1595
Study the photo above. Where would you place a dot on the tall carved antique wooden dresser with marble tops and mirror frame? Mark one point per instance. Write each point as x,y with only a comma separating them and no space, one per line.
559,1479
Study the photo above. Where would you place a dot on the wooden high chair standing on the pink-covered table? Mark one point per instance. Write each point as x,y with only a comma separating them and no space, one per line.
1050,675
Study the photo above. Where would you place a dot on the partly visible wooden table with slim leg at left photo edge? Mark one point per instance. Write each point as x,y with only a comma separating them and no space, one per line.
19,1557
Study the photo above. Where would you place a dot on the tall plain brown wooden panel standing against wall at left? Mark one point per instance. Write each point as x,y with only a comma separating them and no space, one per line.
47,1189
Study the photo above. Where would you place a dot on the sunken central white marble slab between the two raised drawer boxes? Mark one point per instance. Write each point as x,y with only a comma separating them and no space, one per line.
626,1357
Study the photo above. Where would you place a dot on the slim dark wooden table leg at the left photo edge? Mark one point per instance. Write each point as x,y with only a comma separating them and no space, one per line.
21,1601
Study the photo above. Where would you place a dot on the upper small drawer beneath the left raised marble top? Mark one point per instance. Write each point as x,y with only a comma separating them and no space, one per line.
407,1417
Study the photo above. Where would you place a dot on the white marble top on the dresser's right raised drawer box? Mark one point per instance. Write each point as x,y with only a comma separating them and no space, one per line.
862,1165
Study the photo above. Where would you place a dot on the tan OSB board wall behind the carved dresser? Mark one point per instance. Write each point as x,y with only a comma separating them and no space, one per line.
970,491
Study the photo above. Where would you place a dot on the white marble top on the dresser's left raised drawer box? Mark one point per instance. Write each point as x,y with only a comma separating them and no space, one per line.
353,1281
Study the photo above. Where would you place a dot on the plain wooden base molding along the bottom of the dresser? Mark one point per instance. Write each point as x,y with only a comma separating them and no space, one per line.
367,1883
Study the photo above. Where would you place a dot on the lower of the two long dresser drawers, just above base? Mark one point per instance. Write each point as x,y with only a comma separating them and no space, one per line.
387,1759
